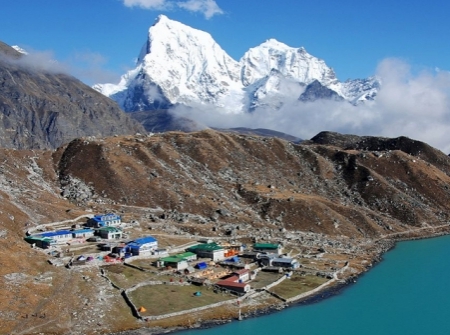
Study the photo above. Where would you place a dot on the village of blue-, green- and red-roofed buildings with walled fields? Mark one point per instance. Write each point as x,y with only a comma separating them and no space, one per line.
207,272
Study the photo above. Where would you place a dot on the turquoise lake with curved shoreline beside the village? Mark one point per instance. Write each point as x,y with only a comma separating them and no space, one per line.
407,293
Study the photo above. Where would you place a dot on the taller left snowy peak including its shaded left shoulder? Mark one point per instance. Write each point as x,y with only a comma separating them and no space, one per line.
185,64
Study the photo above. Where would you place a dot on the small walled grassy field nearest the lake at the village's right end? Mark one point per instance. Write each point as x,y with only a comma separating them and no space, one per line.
296,285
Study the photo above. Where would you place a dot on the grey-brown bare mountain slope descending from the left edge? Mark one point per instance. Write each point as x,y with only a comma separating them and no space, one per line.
42,108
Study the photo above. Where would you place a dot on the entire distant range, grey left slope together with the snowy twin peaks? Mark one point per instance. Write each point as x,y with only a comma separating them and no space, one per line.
177,66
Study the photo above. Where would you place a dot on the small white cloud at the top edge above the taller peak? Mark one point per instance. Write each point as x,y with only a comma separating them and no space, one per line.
208,8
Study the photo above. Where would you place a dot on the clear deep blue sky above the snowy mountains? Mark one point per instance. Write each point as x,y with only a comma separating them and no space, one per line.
101,38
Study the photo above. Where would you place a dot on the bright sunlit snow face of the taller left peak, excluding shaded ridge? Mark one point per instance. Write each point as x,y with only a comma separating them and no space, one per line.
187,64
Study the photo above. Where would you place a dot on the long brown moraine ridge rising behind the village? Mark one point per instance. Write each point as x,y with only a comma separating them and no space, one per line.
312,187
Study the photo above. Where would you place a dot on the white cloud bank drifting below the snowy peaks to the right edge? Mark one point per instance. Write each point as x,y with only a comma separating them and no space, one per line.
416,105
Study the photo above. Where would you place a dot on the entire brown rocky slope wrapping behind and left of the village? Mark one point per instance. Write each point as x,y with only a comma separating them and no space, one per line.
333,191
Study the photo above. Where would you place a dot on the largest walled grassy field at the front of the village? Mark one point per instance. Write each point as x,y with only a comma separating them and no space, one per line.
163,299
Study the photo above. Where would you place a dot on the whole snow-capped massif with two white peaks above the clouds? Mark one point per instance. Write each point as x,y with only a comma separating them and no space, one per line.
182,65
